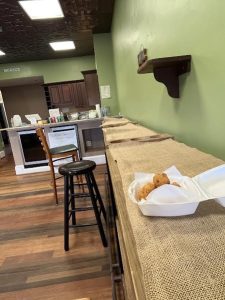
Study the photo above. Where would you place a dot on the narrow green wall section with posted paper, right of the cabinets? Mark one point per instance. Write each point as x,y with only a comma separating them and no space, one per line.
105,68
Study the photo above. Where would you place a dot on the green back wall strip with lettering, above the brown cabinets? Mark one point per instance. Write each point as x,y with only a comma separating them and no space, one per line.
53,70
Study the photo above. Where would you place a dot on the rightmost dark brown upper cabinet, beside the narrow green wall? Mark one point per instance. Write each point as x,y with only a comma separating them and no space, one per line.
92,87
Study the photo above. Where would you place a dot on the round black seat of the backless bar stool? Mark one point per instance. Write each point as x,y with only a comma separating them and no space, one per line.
77,167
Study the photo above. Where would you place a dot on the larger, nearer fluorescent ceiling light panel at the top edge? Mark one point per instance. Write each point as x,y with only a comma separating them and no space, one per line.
42,9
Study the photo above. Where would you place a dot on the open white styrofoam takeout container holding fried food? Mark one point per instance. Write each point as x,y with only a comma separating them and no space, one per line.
170,200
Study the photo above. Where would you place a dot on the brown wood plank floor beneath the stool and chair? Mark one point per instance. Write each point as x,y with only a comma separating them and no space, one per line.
33,264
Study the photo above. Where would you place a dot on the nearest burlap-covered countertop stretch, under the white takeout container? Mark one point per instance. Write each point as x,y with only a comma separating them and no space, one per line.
180,258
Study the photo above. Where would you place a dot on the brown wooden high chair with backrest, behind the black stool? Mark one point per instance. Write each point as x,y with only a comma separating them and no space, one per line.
55,154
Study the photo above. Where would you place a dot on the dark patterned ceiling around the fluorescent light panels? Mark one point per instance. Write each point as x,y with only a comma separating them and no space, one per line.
23,39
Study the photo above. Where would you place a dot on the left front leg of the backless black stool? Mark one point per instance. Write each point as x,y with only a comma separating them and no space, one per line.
66,213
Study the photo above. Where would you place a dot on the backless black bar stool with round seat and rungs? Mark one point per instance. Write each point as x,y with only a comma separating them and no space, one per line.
83,167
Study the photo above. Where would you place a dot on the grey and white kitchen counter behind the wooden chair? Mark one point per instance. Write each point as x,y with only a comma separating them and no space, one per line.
87,135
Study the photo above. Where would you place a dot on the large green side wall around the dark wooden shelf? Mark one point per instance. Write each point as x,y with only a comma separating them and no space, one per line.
170,28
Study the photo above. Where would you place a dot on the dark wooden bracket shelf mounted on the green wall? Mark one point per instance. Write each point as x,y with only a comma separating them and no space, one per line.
167,70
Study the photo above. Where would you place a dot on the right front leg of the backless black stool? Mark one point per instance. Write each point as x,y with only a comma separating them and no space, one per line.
97,214
